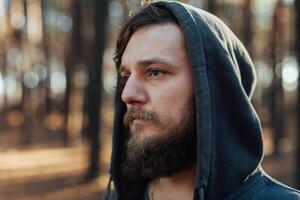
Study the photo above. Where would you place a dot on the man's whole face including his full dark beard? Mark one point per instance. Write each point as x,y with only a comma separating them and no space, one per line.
158,92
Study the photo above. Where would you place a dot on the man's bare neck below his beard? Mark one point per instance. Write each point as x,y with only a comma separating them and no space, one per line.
178,186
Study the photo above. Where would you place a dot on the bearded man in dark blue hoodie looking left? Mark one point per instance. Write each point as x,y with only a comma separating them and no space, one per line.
184,125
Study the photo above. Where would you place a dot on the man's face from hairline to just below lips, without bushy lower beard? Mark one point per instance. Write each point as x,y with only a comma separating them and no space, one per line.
159,90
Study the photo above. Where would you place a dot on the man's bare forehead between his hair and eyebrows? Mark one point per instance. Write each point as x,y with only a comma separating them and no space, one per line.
163,41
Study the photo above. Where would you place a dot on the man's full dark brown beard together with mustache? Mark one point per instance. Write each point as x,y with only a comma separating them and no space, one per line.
173,151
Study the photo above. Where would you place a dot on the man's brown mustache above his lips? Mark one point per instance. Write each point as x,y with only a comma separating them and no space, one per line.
135,113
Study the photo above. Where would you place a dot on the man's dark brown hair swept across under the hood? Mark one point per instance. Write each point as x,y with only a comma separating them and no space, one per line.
149,15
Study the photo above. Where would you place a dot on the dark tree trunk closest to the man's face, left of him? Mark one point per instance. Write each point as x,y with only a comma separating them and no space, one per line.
95,87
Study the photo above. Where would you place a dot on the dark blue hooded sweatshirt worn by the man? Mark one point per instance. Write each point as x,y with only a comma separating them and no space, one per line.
229,134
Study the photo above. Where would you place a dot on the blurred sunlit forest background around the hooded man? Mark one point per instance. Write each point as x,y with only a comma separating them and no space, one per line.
57,80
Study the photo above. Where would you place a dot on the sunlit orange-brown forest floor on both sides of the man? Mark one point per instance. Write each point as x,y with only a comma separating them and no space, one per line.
58,173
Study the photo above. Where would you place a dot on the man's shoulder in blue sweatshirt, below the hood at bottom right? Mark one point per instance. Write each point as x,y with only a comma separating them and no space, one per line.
277,191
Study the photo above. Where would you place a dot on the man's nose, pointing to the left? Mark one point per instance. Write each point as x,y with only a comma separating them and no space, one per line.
134,92
